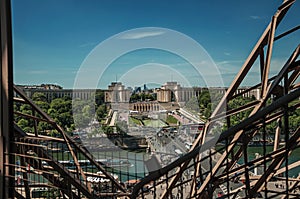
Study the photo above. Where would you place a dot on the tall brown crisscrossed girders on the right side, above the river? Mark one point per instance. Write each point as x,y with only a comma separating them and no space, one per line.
263,114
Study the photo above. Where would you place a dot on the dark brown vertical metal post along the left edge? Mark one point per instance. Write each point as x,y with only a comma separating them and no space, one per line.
6,103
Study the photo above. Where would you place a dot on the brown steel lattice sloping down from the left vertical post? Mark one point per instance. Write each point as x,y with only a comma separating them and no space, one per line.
25,142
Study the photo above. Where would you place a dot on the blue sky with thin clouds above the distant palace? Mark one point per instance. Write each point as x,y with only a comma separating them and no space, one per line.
53,39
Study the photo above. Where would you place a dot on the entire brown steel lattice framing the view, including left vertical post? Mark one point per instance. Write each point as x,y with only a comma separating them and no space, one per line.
205,172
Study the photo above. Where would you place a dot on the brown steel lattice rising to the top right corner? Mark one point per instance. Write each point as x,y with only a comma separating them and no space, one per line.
237,138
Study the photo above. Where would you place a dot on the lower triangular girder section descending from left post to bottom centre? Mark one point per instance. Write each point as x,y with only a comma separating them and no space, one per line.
68,176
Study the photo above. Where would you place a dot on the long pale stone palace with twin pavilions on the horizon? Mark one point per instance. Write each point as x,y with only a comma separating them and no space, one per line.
117,93
